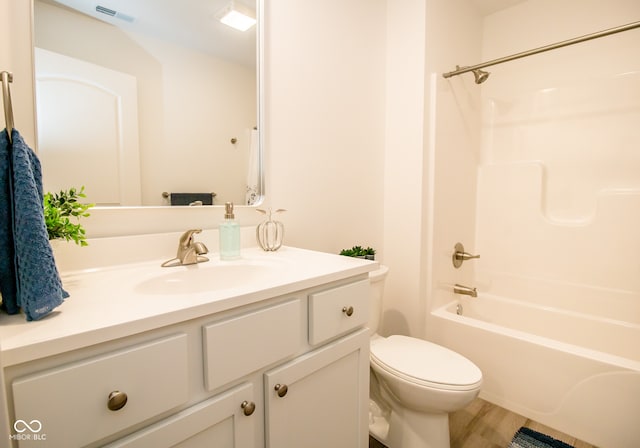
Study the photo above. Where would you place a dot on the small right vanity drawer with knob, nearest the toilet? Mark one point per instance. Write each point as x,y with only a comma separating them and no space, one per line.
338,310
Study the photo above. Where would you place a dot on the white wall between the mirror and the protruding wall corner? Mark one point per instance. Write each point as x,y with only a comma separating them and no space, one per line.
325,121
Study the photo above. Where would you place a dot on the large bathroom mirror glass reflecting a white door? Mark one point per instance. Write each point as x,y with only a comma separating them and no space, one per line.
147,102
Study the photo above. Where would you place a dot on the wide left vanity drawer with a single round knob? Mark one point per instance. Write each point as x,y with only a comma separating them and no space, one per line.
69,405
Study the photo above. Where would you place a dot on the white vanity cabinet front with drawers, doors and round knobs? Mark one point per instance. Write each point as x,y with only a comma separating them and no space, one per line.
285,371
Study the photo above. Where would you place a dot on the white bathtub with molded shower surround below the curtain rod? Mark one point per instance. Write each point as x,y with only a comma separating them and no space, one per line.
556,324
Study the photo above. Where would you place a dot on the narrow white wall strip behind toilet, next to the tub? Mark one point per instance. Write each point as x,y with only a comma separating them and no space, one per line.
404,166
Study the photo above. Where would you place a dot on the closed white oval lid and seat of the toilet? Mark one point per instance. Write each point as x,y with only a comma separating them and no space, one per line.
422,361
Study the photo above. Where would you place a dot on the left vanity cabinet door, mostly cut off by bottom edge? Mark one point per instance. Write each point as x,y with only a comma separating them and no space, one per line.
227,420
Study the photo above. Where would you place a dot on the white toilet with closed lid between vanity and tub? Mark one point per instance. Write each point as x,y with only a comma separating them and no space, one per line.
414,384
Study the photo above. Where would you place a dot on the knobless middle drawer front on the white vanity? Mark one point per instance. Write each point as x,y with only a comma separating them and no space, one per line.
239,346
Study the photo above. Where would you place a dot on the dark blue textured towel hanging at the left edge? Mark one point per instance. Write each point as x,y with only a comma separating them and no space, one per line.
29,279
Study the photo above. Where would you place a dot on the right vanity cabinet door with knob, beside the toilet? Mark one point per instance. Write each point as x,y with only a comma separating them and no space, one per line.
321,399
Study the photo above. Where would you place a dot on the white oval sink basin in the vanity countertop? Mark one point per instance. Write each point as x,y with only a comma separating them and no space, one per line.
210,276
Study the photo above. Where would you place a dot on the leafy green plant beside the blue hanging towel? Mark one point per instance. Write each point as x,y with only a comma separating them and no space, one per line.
62,211
